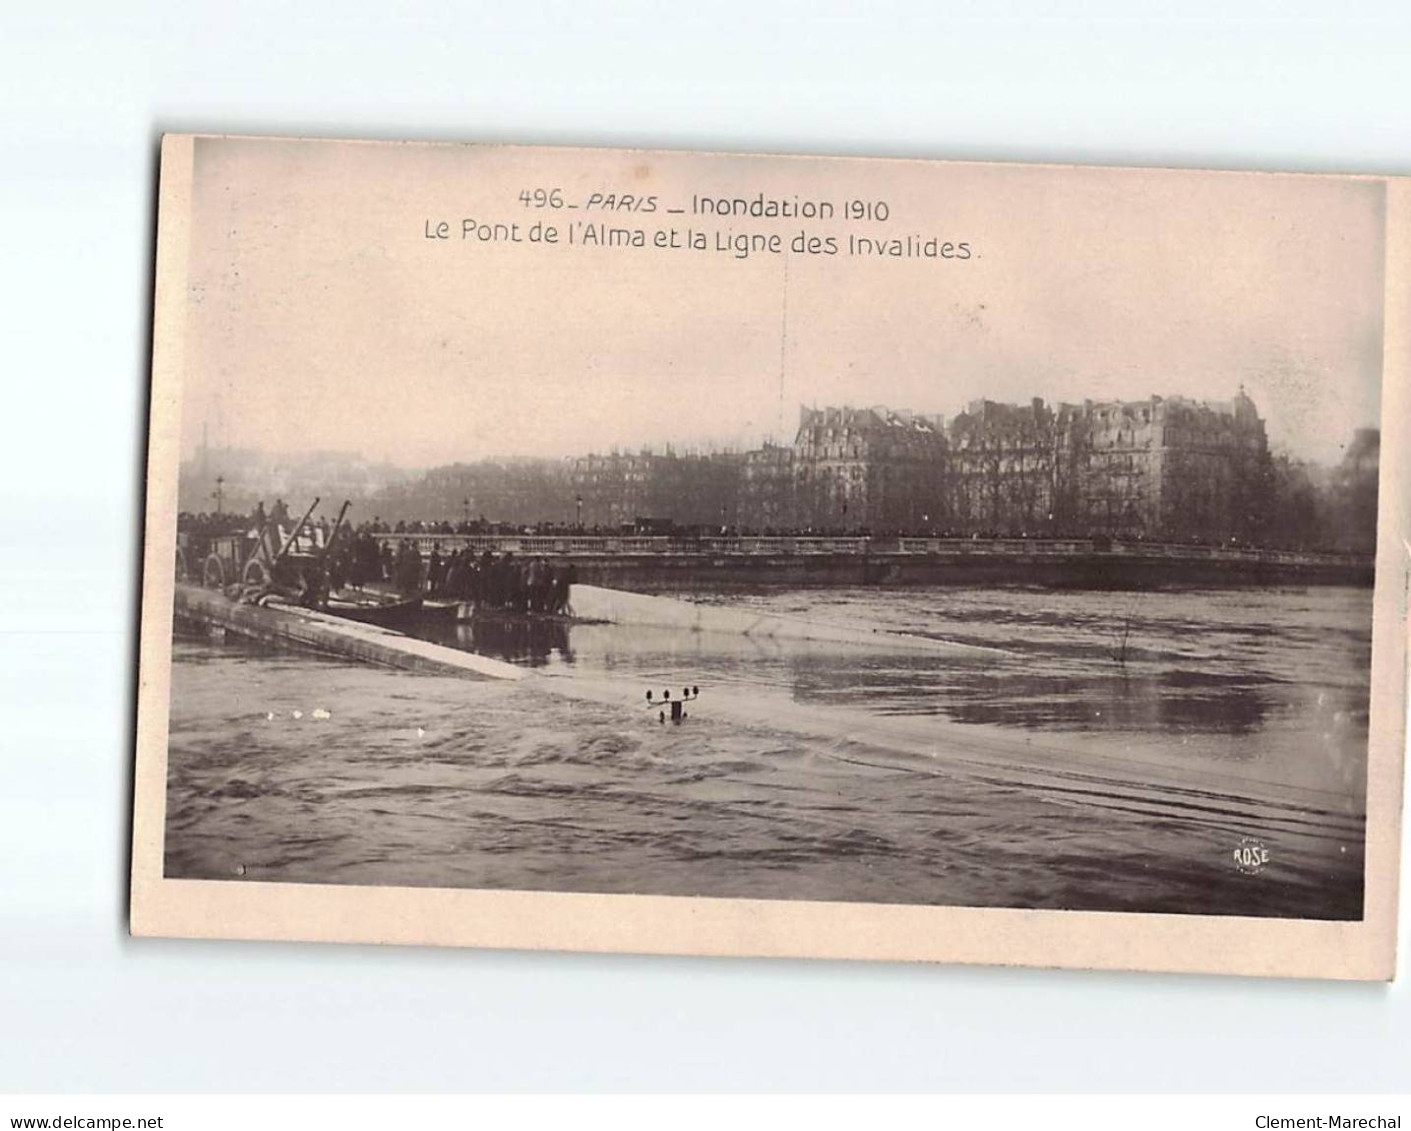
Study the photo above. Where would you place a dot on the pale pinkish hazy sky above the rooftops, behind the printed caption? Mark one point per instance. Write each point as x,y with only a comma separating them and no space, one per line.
321,315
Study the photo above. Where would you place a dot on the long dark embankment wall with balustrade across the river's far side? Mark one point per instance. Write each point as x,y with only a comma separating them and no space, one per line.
675,562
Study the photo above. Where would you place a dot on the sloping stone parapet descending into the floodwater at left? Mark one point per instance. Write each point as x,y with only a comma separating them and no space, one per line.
329,635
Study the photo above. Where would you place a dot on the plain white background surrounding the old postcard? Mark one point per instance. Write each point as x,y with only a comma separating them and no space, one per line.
87,90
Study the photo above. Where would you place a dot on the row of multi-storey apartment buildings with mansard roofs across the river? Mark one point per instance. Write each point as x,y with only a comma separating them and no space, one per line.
1163,467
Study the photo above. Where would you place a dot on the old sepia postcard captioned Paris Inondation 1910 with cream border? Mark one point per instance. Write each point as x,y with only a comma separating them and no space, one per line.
781,534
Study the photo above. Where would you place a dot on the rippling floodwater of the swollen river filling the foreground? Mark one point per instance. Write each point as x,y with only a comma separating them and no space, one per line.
1103,752
